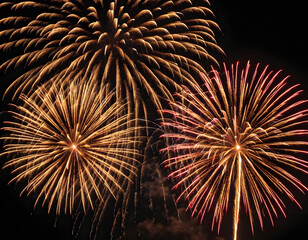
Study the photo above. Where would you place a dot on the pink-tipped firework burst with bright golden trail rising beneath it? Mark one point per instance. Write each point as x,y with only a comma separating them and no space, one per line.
239,138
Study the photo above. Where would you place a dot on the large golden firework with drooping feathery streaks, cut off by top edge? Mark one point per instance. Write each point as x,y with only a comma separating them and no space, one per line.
127,45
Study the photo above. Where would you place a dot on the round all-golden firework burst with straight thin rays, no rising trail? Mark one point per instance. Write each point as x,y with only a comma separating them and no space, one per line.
70,145
